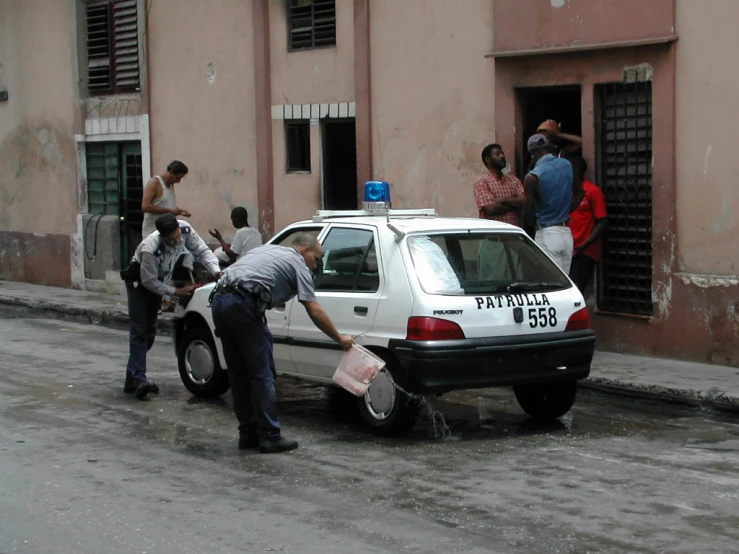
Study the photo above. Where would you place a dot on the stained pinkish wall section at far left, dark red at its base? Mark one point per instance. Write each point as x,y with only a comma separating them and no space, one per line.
38,161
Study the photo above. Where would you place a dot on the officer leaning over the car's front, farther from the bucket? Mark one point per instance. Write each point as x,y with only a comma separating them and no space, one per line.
148,278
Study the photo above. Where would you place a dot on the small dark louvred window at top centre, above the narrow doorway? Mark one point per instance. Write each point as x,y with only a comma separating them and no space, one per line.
312,23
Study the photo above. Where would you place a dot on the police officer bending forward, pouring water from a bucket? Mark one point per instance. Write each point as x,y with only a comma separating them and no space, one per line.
266,276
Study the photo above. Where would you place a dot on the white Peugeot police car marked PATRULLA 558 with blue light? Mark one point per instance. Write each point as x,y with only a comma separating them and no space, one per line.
448,303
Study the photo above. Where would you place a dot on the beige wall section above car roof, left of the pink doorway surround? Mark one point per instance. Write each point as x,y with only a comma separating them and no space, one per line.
433,95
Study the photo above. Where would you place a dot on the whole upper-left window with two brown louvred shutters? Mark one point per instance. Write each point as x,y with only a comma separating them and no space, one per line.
112,38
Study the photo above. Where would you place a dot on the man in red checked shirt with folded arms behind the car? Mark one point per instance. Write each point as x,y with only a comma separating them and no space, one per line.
498,197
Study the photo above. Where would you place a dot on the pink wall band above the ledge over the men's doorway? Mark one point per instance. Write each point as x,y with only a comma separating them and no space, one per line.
528,24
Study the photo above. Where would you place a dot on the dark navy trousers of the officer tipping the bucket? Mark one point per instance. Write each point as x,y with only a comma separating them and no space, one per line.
247,347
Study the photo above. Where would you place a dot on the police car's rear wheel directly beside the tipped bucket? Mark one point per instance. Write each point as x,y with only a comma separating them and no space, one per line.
385,409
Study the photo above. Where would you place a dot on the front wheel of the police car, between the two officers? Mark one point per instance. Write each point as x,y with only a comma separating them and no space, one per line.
198,363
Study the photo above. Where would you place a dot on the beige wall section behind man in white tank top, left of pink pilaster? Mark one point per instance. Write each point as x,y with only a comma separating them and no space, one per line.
201,78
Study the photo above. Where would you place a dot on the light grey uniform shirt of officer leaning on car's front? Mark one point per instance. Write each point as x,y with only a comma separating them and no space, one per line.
158,260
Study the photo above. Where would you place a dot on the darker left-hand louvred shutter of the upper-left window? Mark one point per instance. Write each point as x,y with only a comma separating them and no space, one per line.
99,78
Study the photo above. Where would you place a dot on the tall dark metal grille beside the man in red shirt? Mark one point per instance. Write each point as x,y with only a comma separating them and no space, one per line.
624,171
